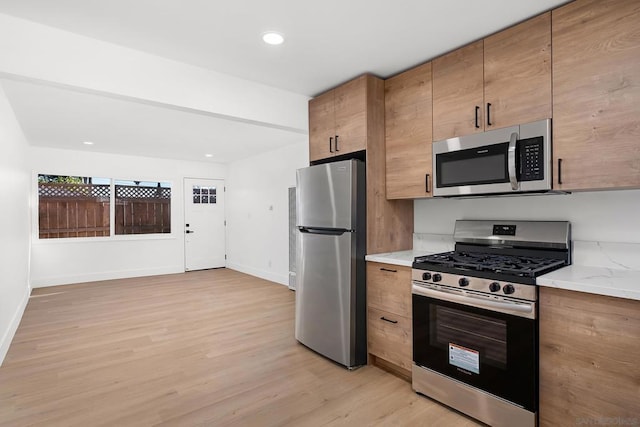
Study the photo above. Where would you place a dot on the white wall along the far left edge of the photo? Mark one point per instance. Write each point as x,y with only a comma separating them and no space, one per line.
14,217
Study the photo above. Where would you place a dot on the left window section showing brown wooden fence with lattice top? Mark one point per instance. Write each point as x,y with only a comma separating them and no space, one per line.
73,206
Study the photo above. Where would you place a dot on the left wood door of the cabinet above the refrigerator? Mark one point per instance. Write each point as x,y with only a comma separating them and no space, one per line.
321,126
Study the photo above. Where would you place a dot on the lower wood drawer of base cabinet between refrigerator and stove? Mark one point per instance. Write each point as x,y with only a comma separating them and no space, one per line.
388,340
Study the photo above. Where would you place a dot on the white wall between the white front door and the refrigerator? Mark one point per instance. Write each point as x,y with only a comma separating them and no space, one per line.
258,211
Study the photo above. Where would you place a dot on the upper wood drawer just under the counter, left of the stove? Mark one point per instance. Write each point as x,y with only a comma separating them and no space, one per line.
389,288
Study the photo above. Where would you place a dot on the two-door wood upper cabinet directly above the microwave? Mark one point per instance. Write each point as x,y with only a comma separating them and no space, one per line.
500,81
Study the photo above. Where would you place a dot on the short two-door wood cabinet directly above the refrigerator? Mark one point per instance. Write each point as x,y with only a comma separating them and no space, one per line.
338,119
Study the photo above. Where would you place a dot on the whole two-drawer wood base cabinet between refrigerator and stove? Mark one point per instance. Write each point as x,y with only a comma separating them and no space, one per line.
389,338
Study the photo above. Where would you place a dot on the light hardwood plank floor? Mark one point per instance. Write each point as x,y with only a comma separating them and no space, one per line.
204,348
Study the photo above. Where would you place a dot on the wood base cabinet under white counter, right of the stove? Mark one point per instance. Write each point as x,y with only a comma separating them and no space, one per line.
589,358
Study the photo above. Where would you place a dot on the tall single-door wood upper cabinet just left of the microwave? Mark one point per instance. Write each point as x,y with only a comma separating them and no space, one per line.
408,132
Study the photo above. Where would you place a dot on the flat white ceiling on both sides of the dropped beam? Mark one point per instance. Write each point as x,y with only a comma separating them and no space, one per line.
327,42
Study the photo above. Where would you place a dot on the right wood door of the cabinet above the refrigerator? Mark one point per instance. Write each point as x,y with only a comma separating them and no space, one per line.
351,116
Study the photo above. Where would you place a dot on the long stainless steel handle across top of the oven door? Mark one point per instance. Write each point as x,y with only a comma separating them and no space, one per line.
521,309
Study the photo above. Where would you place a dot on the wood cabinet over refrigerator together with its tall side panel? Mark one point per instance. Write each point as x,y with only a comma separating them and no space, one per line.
349,119
